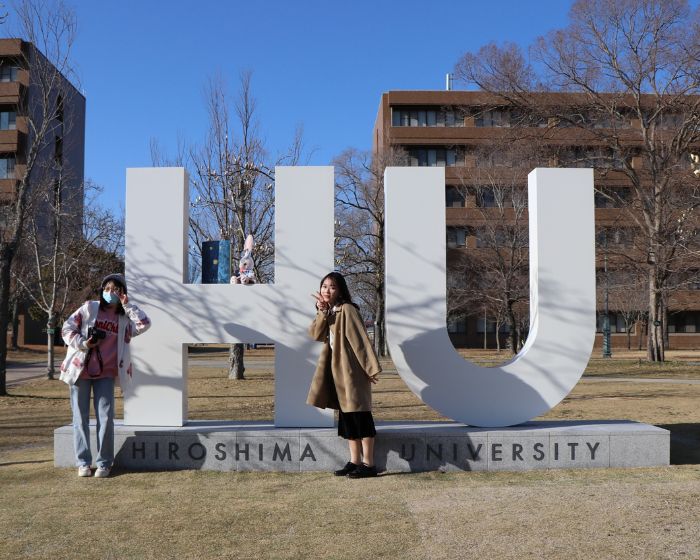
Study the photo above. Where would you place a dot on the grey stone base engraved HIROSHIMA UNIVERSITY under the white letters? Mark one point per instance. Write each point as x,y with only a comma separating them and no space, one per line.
400,446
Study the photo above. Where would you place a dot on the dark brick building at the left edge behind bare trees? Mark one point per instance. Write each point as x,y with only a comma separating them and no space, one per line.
60,157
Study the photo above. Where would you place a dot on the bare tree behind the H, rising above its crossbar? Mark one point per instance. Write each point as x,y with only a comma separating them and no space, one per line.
232,185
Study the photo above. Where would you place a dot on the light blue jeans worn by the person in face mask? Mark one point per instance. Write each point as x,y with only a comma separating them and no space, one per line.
103,398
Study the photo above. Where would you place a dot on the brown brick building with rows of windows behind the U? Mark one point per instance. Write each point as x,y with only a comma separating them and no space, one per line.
470,134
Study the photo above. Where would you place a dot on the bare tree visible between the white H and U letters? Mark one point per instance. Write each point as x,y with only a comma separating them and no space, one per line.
359,211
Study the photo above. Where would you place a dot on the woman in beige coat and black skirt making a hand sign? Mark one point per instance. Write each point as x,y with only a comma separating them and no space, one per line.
346,370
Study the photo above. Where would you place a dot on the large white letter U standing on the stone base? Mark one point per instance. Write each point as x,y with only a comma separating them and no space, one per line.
562,299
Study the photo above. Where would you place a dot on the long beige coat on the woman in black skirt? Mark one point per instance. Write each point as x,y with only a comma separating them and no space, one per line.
342,376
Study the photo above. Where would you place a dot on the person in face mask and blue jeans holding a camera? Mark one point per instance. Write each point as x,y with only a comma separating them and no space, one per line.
98,335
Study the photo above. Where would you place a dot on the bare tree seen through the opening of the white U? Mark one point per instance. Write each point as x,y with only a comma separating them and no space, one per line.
494,271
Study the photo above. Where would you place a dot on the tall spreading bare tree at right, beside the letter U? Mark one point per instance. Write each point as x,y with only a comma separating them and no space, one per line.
631,73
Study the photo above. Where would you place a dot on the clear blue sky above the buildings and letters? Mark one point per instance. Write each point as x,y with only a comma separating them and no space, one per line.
143,66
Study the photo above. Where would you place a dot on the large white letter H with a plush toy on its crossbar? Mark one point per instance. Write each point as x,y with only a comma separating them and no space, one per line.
156,264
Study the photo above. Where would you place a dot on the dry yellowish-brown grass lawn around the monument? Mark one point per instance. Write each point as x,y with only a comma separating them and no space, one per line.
607,513
